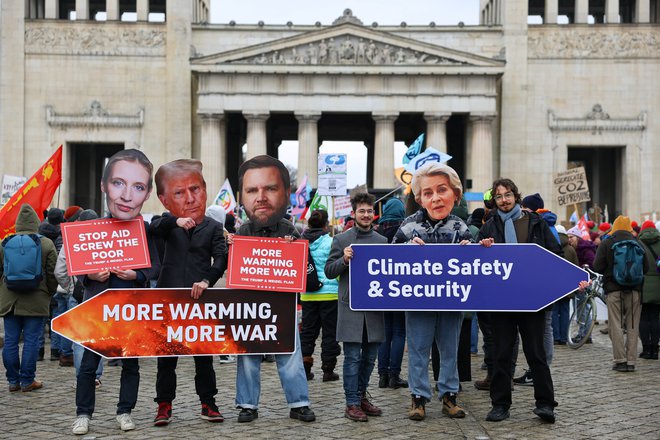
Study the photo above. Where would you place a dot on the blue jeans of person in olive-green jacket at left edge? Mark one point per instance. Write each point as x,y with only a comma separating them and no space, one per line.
21,371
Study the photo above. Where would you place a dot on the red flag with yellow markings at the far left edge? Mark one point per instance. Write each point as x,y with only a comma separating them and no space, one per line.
37,192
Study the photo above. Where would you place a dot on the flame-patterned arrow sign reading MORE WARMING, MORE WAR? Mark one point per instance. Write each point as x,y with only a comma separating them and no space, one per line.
168,322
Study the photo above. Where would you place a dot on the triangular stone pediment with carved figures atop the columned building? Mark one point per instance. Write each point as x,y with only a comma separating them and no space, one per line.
346,45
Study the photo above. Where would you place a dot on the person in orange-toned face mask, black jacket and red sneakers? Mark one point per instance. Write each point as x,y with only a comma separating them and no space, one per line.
195,257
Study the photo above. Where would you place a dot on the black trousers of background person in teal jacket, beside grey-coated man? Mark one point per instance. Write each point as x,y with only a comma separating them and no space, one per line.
319,315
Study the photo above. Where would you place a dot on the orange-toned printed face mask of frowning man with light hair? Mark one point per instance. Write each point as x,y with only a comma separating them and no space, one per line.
185,195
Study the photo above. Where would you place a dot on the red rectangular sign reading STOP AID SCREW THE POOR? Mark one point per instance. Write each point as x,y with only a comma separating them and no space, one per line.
98,245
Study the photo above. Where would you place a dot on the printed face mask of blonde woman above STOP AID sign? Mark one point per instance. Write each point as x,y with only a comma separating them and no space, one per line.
127,188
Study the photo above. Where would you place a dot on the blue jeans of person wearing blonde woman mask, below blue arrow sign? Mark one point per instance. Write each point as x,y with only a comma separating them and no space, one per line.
422,328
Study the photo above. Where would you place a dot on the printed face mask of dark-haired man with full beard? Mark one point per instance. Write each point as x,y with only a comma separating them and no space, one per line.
264,196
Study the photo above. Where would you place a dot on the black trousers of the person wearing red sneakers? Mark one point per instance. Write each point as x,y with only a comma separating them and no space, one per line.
205,386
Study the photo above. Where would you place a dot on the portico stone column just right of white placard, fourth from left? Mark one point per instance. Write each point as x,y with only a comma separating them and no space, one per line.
384,151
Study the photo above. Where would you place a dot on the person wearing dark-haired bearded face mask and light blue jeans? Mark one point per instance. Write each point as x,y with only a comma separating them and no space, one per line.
264,186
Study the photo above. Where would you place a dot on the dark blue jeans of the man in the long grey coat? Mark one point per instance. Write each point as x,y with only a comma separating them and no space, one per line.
359,360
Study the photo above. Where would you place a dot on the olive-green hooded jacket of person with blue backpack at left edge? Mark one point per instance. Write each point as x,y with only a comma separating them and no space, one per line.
37,302
